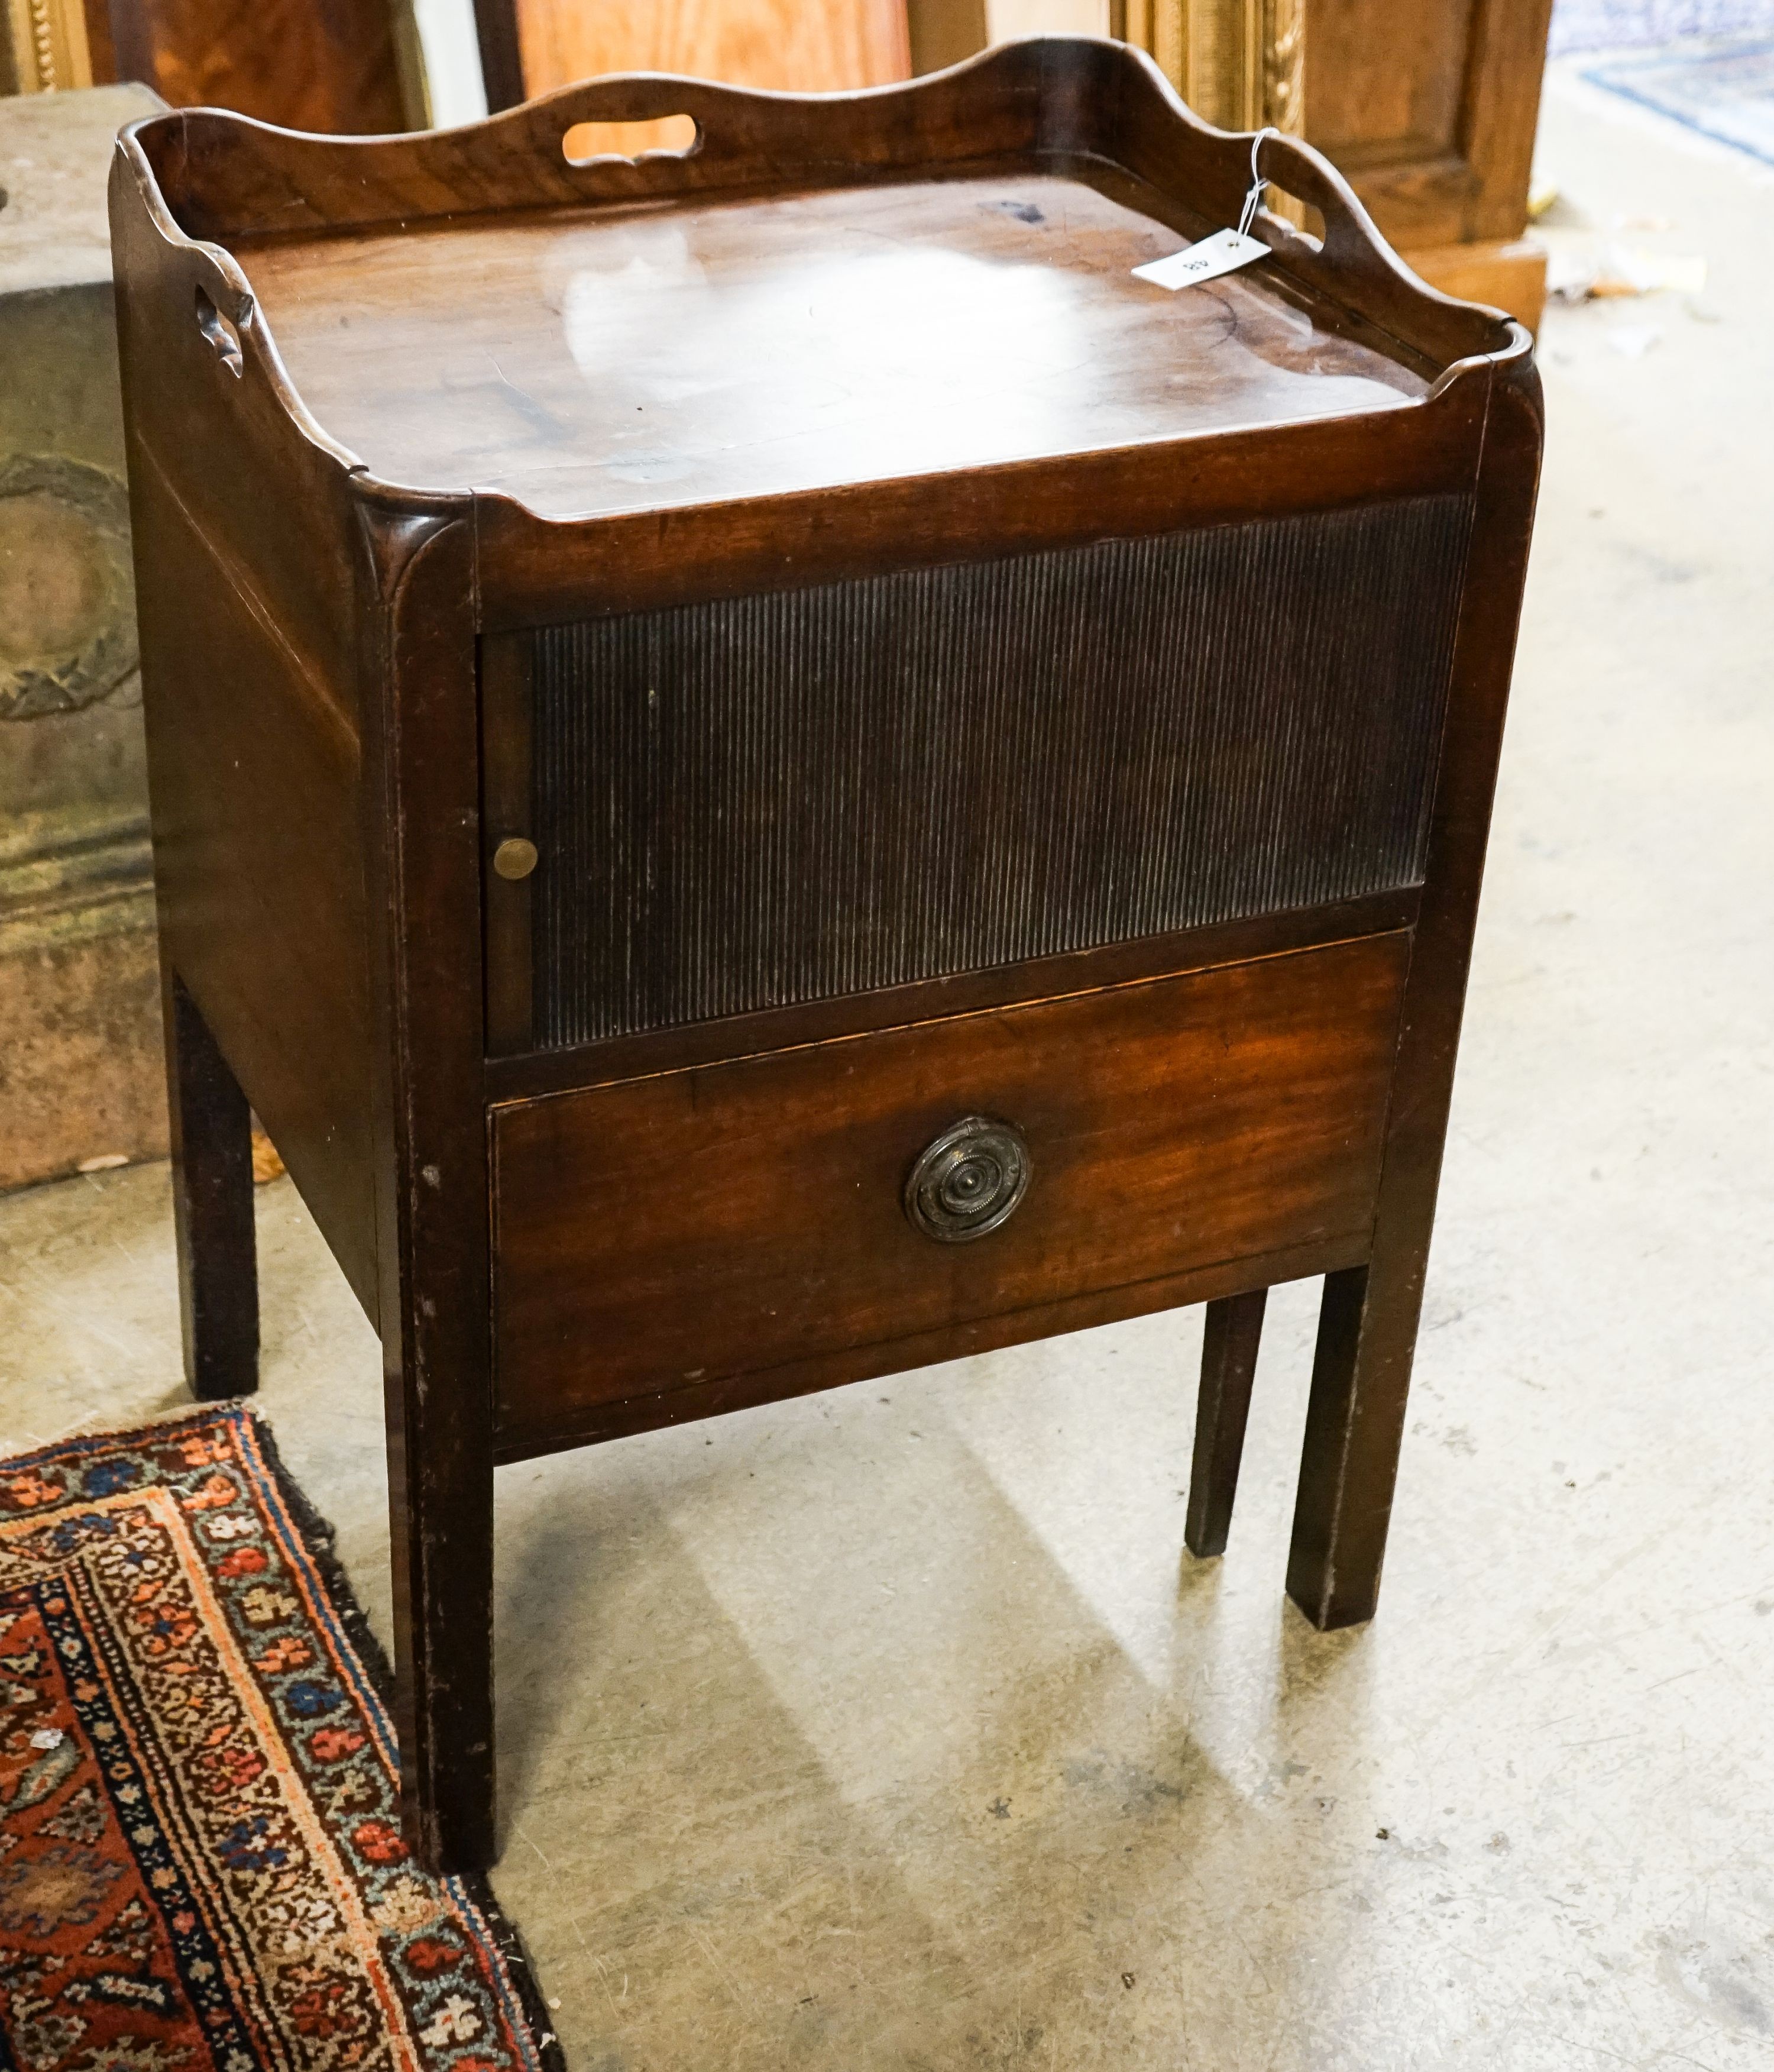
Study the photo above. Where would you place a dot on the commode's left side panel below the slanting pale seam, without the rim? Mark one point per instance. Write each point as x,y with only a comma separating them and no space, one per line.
260,867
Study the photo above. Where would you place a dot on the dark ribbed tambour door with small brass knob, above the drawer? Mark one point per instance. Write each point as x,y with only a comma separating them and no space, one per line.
768,801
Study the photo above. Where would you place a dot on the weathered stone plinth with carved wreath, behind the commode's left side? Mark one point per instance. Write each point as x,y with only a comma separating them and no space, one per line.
80,1012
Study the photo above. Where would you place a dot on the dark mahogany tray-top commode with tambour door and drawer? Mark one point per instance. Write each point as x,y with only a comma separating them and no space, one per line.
768,768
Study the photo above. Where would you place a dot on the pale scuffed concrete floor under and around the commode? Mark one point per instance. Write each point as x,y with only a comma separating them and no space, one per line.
888,1729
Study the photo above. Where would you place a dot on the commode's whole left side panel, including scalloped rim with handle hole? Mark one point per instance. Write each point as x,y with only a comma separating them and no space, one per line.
248,608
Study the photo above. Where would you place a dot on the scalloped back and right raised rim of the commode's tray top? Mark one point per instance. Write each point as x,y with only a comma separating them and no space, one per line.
1058,107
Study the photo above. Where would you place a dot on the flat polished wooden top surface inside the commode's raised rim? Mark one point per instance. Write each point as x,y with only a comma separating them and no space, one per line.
668,355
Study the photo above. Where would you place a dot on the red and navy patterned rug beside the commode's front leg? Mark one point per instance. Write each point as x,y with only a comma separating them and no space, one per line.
200,1839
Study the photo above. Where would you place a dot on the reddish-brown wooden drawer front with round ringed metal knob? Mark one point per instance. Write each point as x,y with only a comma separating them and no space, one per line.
662,1234
